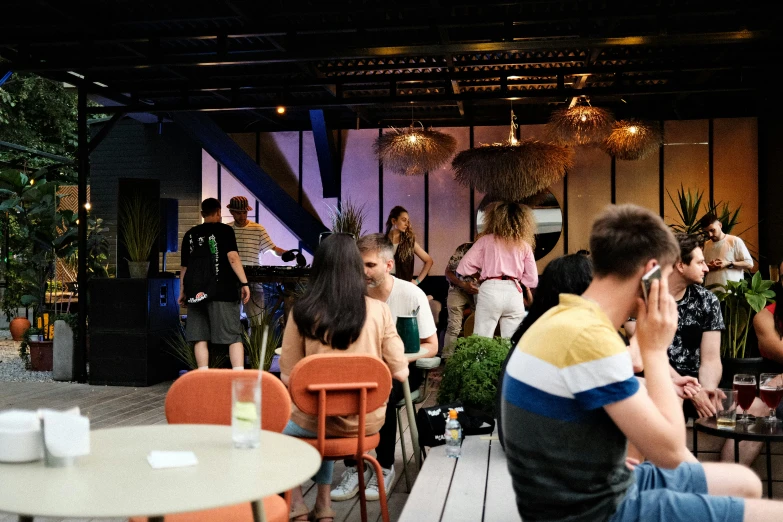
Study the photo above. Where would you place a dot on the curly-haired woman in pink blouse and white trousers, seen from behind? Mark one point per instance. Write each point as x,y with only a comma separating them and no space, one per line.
504,258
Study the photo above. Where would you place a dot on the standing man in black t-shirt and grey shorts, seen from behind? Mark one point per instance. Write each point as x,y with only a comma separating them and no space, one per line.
218,276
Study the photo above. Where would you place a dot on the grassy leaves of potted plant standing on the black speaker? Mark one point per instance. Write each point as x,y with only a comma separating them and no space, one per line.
139,226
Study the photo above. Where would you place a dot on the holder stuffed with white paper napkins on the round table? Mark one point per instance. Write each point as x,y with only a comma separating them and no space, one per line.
65,436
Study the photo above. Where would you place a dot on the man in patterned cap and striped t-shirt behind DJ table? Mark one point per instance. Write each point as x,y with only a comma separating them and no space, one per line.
252,241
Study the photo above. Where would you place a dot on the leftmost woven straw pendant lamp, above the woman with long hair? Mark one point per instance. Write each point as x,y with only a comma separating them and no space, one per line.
414,151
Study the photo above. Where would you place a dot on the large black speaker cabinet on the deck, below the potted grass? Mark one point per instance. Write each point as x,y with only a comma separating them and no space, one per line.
130,320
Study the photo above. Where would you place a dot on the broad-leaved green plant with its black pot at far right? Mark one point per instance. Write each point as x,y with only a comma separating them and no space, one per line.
740,301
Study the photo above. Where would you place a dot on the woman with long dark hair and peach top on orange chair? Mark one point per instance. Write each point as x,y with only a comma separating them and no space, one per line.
335,313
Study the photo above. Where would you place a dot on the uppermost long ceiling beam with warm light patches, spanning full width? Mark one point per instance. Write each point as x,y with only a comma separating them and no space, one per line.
73,62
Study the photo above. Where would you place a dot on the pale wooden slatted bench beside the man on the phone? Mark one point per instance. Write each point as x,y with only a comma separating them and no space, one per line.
474,487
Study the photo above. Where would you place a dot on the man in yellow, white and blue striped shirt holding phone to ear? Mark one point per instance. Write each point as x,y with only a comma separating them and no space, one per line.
571,402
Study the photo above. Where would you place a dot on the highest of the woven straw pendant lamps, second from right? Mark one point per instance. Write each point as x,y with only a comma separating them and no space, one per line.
581,124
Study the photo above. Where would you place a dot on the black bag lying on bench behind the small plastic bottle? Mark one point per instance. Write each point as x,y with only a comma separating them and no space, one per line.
431,422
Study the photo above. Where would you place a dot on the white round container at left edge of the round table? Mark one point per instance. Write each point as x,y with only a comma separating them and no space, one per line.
20,436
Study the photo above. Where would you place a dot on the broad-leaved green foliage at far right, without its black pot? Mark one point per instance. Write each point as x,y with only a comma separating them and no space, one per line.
740,301
